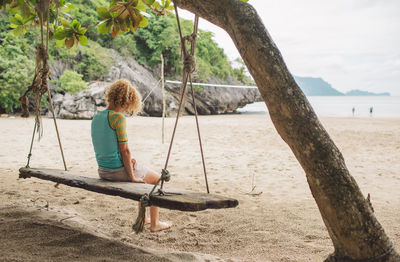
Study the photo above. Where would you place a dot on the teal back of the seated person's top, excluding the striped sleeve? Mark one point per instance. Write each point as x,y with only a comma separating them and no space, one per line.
105,142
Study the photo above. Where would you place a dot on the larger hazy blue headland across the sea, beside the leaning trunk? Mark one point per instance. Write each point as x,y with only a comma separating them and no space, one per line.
316,87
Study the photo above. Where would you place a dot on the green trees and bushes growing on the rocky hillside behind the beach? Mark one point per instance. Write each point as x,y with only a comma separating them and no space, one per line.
93,61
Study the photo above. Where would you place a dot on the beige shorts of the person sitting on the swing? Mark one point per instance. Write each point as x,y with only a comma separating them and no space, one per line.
139,172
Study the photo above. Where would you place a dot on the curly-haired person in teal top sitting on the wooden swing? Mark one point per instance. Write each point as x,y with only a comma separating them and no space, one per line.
110,142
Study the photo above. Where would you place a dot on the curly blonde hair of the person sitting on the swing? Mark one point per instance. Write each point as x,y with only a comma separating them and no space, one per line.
124,95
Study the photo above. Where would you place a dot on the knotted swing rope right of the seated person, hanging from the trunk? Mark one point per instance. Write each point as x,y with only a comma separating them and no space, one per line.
189,66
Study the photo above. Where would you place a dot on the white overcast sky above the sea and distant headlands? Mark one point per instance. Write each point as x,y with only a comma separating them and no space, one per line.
351,44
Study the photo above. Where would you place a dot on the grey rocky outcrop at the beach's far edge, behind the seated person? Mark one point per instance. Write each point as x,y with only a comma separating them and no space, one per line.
209,100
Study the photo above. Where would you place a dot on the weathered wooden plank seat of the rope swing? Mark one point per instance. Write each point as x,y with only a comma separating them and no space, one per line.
177,199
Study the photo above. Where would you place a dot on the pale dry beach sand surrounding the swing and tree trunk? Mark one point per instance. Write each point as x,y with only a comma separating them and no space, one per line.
39,222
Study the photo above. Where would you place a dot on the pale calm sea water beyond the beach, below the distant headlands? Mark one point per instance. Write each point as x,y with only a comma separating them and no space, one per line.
342,106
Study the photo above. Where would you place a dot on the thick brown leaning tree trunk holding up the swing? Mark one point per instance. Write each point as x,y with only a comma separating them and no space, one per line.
355,232
